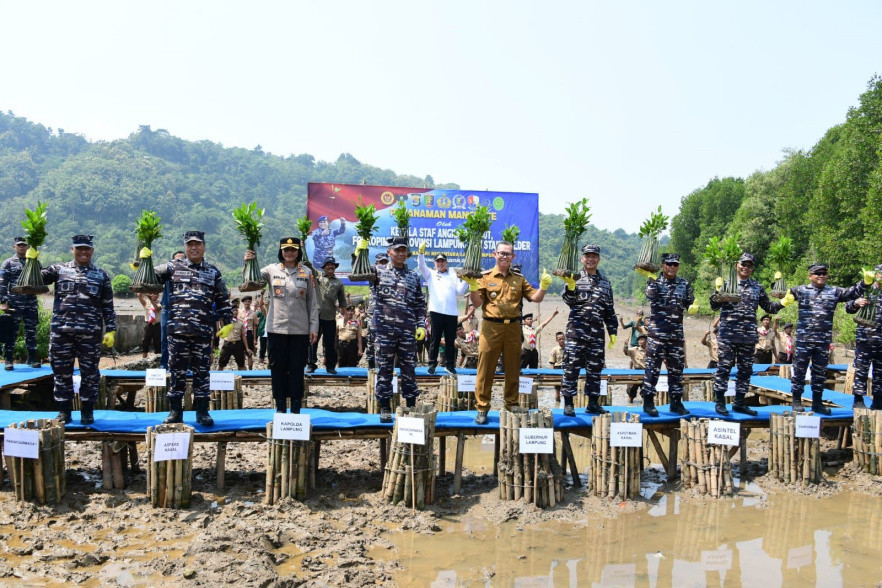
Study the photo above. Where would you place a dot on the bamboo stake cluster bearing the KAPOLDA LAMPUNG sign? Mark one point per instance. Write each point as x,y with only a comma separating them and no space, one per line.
289,472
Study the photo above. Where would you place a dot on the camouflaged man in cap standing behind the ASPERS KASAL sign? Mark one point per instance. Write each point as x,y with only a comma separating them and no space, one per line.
198,298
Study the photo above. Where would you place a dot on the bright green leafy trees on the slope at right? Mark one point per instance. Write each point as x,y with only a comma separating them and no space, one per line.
828,200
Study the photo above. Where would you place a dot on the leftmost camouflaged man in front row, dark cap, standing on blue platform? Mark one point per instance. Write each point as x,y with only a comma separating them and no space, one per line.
83,309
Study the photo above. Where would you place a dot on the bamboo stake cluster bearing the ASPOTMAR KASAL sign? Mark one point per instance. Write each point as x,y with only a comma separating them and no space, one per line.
615,471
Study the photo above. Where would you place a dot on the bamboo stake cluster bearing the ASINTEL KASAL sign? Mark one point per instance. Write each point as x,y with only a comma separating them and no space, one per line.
704,466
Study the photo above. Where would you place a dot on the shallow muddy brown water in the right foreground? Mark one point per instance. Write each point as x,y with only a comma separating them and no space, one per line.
784,539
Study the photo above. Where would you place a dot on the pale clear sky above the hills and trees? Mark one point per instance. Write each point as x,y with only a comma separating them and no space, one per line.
633,104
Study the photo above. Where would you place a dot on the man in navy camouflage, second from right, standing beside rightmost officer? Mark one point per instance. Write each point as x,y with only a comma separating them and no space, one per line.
814,331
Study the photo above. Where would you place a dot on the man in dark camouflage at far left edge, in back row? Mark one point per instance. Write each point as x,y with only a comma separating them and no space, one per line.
21,307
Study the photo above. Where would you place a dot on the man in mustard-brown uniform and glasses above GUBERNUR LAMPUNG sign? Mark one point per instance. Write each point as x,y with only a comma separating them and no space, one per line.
500,292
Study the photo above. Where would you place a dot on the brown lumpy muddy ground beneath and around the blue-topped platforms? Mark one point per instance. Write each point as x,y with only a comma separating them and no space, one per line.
338,535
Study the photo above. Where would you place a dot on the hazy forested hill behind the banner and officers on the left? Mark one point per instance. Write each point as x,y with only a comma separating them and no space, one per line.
101,187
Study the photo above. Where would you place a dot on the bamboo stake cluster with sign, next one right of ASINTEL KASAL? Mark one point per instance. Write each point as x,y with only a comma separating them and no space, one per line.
792,459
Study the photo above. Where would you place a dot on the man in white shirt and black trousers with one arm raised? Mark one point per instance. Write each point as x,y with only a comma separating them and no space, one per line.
444,290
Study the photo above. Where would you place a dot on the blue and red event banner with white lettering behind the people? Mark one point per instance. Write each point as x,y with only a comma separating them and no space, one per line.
435,215
